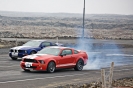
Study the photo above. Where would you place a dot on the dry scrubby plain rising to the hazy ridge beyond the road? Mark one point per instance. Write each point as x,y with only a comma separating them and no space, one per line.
31,25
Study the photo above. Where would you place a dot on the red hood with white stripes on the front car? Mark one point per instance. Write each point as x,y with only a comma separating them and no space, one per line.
39,56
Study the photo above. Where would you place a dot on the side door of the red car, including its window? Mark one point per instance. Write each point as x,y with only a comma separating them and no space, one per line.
66,58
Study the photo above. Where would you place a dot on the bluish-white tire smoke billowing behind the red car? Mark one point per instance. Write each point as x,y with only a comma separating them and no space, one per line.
98,54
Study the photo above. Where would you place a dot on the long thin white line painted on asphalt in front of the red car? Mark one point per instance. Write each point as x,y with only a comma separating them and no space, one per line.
43,78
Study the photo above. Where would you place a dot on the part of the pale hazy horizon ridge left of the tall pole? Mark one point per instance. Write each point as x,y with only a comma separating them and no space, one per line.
38,14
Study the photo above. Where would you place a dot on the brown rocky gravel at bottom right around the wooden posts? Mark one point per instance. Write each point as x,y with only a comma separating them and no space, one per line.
120,83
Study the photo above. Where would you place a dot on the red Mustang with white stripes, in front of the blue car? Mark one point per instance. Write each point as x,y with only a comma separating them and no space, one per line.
51,58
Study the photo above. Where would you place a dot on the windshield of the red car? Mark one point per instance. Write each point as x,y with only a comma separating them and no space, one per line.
51,51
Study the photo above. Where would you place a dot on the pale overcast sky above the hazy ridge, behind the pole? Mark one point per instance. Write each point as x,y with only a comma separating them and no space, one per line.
69,6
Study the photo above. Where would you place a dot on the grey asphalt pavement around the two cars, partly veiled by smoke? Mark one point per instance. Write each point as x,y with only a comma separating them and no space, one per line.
12,76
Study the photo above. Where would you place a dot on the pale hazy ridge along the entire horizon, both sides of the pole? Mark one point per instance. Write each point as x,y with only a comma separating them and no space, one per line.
41,14
